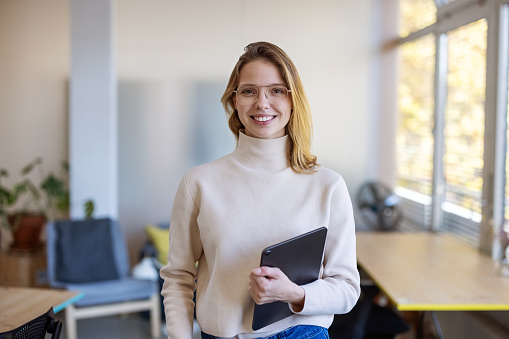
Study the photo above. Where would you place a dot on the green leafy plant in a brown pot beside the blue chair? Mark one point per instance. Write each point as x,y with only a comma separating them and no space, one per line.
26,206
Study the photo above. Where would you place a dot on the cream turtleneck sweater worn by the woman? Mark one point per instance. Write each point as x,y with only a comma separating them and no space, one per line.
226,212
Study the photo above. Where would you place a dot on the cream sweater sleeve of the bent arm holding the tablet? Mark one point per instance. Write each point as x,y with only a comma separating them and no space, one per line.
339,289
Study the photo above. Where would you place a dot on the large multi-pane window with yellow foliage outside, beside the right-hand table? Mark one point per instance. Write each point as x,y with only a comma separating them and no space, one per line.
449,95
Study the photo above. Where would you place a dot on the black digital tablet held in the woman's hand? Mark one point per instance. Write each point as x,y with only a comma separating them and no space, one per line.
300,258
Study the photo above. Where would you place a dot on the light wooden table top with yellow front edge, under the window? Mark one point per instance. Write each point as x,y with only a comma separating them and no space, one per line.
429,271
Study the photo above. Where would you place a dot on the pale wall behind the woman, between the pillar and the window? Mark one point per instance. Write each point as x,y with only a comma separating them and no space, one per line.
167,49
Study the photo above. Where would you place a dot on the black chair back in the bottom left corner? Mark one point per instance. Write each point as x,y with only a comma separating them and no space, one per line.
36,328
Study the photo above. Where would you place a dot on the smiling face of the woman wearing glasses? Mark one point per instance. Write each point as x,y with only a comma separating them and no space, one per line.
262,119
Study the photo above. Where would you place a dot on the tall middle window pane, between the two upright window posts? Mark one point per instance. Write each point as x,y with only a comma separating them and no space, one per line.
464,130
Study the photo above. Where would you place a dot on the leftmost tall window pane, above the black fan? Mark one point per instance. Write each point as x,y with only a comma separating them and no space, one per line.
414,140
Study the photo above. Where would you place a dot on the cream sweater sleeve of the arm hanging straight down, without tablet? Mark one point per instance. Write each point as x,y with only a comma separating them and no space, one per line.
180,273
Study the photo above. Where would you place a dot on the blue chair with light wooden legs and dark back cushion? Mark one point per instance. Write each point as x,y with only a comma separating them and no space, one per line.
90,256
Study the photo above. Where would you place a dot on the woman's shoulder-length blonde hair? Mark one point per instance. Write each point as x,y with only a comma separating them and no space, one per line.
300,125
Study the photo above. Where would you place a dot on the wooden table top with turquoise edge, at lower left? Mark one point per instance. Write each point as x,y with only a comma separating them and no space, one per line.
19,305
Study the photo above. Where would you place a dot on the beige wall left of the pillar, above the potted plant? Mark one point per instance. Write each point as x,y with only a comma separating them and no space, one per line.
34,70
